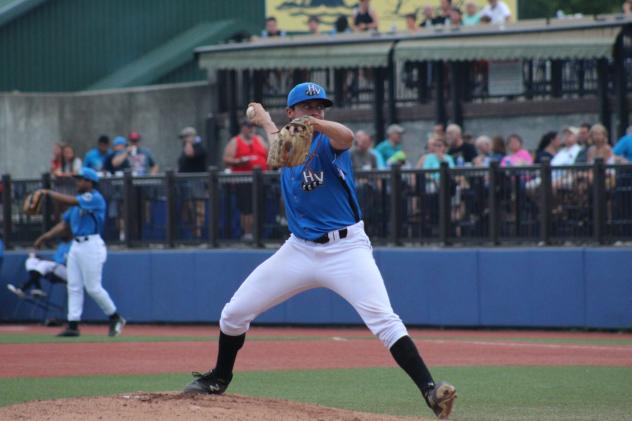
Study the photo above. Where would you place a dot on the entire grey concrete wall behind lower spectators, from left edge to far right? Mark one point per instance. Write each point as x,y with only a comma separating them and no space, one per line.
31,123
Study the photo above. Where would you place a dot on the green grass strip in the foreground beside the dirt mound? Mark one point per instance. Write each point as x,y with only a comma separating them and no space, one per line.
485,393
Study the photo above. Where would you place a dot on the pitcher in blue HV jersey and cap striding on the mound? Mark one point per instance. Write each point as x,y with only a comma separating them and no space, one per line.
327,248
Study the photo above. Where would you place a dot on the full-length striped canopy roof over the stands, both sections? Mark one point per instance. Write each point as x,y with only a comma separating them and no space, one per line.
546,39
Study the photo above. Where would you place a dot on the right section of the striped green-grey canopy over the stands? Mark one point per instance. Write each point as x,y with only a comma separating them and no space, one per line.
587,43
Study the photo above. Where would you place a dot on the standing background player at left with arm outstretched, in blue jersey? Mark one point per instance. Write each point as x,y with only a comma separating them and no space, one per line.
87,253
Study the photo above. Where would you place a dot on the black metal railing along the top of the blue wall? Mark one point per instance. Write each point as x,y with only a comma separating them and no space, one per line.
538,204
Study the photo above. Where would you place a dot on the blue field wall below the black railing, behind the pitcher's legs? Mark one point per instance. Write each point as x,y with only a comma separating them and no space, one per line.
521,287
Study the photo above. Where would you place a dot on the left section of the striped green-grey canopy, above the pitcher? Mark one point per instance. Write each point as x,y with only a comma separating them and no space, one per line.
289,55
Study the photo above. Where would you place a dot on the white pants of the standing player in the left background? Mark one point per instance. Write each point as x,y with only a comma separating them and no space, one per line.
85,268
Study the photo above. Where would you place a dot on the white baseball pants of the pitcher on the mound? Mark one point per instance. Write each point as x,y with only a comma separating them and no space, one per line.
345,266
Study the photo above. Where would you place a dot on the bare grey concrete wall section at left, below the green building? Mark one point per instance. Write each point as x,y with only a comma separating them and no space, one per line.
31,123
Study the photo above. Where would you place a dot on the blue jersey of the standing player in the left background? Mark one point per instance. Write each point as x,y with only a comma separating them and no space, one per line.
88,216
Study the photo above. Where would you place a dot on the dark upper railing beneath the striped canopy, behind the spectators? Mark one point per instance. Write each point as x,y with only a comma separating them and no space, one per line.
416,82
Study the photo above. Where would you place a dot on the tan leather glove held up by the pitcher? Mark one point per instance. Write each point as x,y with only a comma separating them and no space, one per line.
291,146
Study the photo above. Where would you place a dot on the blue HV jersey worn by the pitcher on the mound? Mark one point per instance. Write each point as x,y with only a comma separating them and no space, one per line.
320,195
